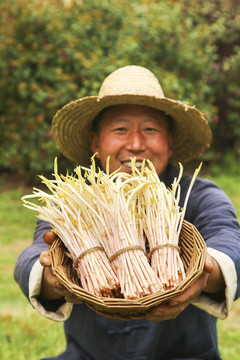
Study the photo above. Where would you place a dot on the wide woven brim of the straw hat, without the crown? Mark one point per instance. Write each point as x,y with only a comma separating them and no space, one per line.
72,125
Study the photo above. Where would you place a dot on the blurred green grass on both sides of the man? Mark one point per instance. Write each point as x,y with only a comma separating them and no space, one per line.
22,330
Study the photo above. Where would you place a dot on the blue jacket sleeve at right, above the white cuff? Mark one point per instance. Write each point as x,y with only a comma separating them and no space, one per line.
212,212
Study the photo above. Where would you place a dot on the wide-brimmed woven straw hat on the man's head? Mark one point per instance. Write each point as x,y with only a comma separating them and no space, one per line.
129,85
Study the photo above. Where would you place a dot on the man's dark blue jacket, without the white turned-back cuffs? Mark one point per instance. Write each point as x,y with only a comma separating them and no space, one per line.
192,335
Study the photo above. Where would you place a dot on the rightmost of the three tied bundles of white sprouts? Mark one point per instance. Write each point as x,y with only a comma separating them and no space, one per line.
161,221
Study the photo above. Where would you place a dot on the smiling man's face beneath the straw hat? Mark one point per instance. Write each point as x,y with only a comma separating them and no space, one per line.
128,131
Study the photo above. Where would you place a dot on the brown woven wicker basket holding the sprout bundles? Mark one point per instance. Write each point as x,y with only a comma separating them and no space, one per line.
192,251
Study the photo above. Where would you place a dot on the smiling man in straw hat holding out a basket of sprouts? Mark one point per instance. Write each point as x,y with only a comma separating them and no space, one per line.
131,118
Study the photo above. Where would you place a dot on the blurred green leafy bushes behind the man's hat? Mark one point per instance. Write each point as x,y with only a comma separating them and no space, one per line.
55,51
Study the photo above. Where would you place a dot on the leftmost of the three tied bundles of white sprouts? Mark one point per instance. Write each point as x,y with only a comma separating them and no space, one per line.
67,211
